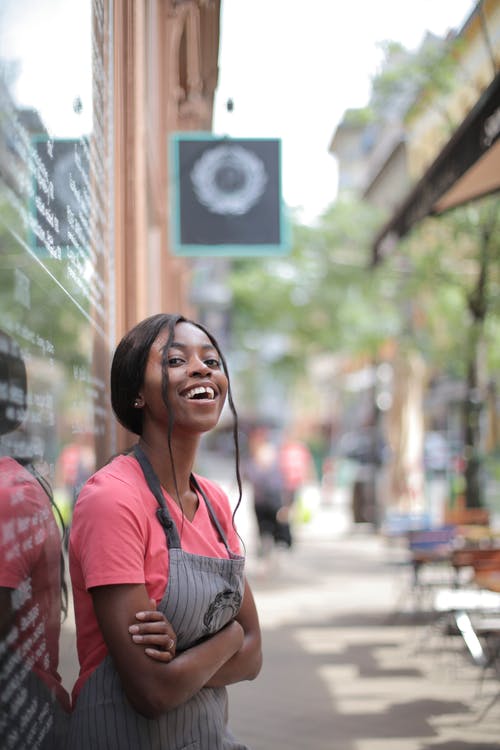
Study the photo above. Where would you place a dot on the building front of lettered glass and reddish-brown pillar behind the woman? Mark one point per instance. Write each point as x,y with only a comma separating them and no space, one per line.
90,91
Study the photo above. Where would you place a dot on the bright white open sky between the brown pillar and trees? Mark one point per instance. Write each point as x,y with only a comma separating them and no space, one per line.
292,68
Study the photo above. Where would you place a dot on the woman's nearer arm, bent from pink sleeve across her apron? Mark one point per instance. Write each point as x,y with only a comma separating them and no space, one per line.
153,686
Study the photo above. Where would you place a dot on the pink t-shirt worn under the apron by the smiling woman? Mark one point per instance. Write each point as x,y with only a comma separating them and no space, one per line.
116,538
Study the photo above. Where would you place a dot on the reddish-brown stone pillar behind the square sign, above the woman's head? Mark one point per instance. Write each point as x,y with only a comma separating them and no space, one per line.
165,67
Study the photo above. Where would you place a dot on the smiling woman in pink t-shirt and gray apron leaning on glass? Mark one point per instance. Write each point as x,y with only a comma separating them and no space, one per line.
146,528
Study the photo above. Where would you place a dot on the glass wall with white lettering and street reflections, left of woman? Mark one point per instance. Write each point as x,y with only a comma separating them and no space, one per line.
56,319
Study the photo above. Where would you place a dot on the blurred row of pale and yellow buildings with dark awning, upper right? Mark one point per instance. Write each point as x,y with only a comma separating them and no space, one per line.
432,148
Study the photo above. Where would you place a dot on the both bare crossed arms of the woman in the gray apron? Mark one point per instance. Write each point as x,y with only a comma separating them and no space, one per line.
157,679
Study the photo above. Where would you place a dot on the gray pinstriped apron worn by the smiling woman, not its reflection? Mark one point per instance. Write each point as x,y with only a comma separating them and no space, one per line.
203,594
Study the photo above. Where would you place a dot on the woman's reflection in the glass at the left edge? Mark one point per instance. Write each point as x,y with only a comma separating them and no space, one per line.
32,700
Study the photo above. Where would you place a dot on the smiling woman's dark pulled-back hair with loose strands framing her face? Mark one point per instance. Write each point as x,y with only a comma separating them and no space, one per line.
129,366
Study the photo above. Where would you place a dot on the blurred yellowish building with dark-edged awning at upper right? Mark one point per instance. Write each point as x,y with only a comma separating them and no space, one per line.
452,135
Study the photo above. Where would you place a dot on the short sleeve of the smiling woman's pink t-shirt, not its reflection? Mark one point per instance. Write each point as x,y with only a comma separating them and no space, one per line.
109,532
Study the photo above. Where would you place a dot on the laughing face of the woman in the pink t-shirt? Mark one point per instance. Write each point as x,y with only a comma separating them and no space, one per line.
197,385
